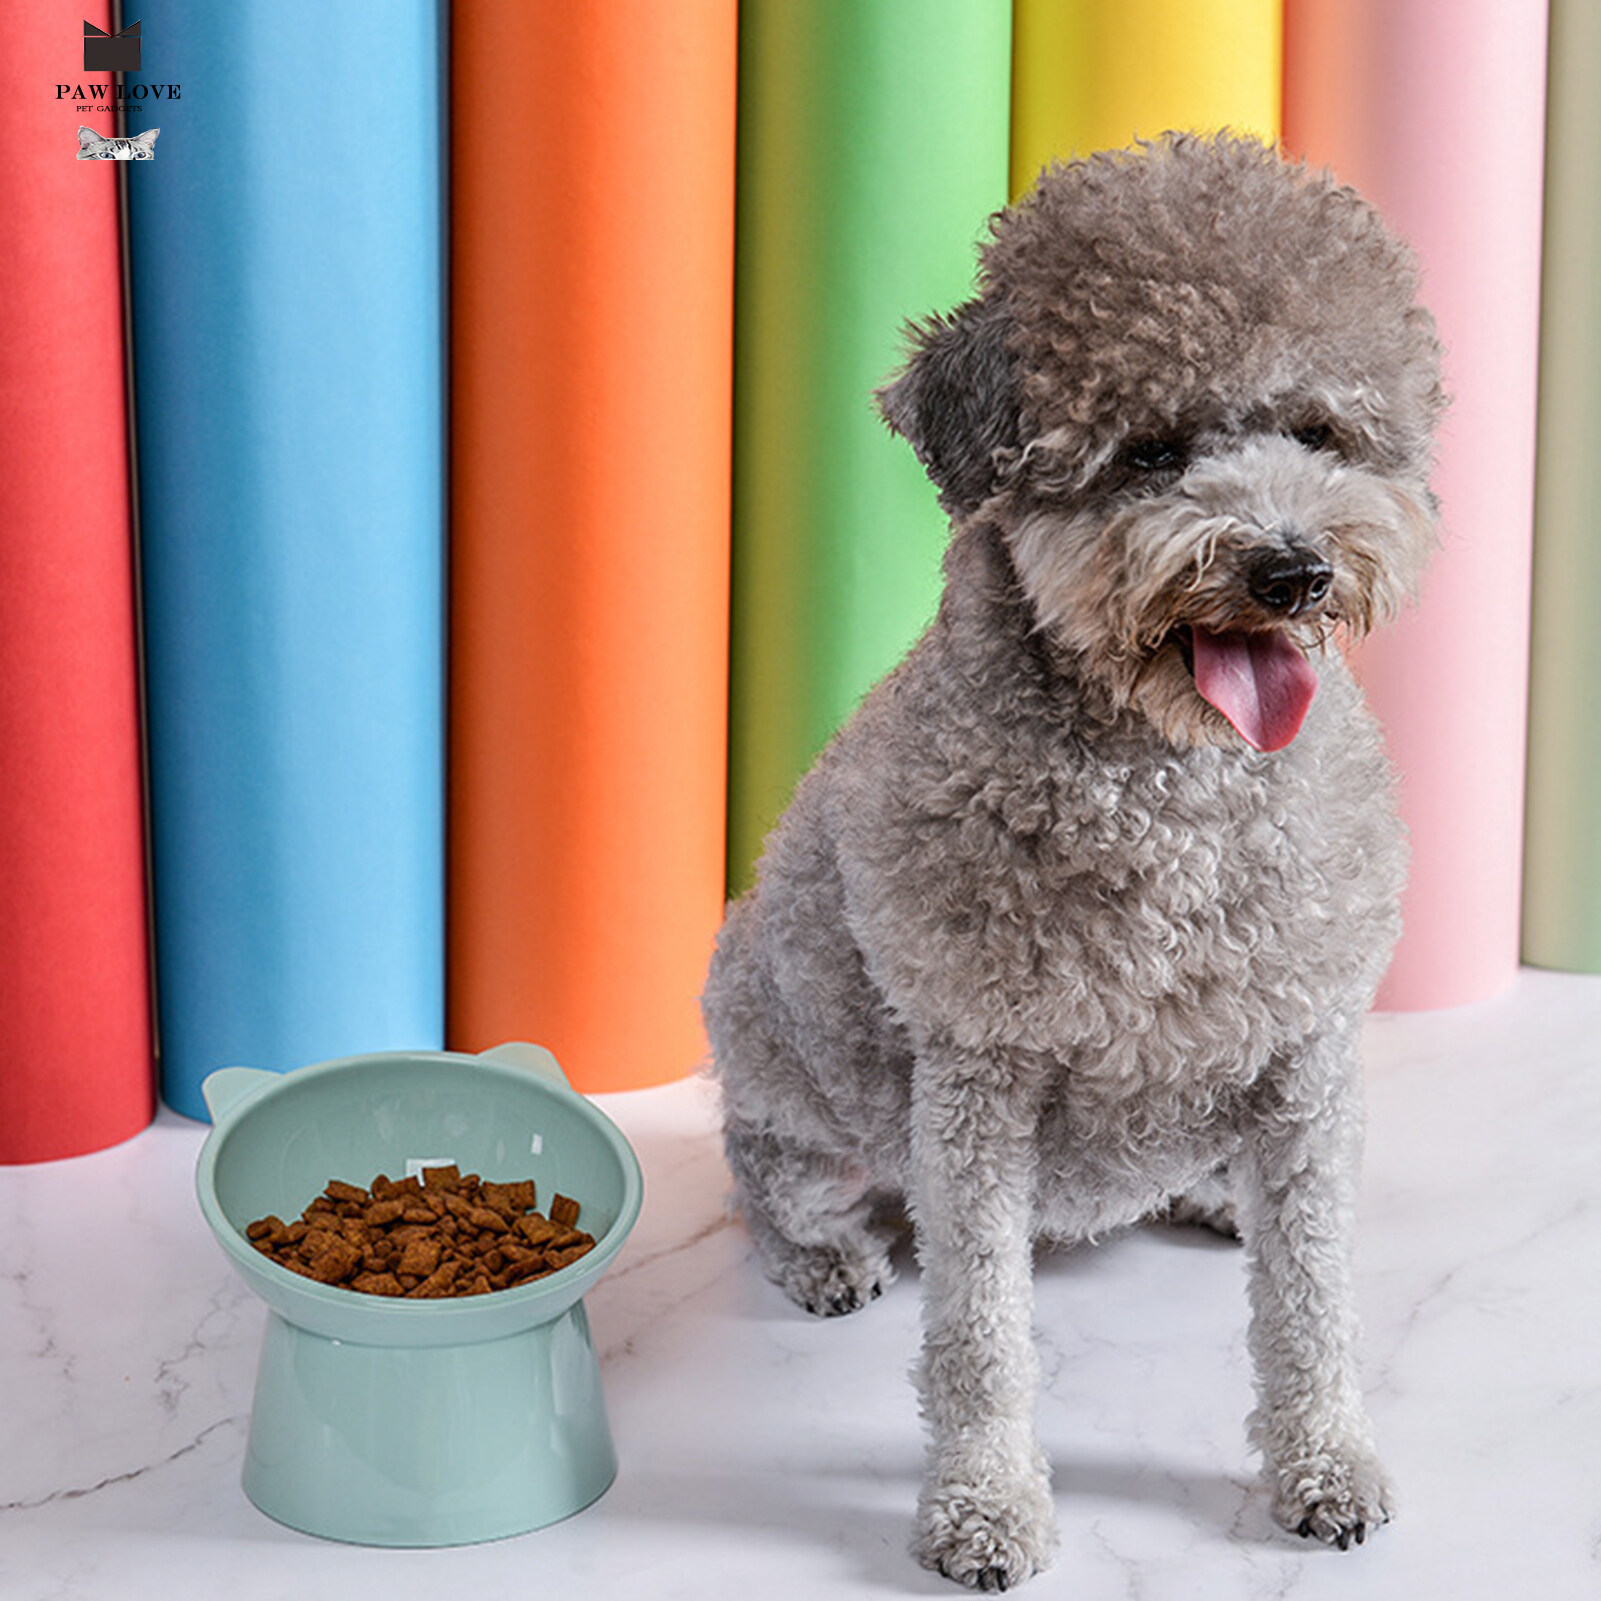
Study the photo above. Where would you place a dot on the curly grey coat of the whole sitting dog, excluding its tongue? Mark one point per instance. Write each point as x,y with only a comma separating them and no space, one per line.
1043,947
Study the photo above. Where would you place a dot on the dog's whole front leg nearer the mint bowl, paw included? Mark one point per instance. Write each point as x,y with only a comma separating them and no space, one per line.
985,1517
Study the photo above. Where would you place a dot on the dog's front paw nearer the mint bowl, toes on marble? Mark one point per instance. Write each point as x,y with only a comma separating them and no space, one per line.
990,1538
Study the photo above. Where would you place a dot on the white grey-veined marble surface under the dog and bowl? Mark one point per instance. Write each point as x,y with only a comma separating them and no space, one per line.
768,1453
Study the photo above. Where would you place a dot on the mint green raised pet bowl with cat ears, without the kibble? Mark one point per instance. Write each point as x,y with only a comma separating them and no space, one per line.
396,1422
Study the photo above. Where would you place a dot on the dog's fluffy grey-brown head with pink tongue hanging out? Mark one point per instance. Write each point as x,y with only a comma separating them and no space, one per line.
1198,399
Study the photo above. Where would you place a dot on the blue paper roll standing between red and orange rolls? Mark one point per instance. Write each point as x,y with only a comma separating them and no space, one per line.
287,307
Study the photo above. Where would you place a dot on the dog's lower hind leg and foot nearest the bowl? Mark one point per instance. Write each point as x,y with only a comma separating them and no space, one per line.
814,1219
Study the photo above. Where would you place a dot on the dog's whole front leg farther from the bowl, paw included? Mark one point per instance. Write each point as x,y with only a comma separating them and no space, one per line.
1299,1174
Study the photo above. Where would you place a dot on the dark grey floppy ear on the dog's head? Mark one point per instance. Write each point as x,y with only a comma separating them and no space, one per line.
957,401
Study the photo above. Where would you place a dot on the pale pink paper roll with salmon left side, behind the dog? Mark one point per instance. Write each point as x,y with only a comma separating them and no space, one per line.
1435,110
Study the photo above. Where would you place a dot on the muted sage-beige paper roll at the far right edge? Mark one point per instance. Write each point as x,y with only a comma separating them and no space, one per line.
1562,901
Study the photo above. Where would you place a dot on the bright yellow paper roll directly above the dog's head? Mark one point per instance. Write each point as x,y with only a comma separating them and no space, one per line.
1094,76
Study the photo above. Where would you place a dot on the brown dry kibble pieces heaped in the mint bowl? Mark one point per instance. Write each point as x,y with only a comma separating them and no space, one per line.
425,1238
